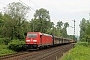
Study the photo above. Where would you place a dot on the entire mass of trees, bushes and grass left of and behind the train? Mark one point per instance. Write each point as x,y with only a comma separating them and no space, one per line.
14,25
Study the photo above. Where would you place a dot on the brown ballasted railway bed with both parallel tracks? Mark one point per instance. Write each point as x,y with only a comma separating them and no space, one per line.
46,54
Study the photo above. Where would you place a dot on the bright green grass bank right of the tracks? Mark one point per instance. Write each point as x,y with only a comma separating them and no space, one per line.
80,52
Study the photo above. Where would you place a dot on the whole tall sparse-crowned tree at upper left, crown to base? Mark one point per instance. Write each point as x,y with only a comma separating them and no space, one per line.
17,12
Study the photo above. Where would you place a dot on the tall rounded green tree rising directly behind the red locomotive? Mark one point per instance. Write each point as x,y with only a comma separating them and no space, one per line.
41,21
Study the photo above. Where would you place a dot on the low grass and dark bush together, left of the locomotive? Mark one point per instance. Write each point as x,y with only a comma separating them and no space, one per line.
12,47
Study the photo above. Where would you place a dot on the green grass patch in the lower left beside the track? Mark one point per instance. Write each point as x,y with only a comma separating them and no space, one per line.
4,50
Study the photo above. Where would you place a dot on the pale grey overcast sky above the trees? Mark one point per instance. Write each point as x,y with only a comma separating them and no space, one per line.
63,10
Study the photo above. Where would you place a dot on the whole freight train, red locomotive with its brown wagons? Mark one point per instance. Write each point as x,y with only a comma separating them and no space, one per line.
36,40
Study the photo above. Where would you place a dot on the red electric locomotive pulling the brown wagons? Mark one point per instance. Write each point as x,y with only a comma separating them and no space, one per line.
35,40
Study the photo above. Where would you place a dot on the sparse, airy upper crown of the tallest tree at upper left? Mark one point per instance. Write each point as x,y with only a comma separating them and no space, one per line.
17,11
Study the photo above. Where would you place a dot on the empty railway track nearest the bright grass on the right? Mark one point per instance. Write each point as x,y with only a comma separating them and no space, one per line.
50,54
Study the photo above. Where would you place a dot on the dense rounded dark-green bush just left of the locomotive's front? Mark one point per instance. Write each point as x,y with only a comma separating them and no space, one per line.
16,45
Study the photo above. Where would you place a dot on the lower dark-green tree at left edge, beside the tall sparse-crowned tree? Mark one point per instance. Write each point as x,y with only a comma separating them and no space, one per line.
5,28
